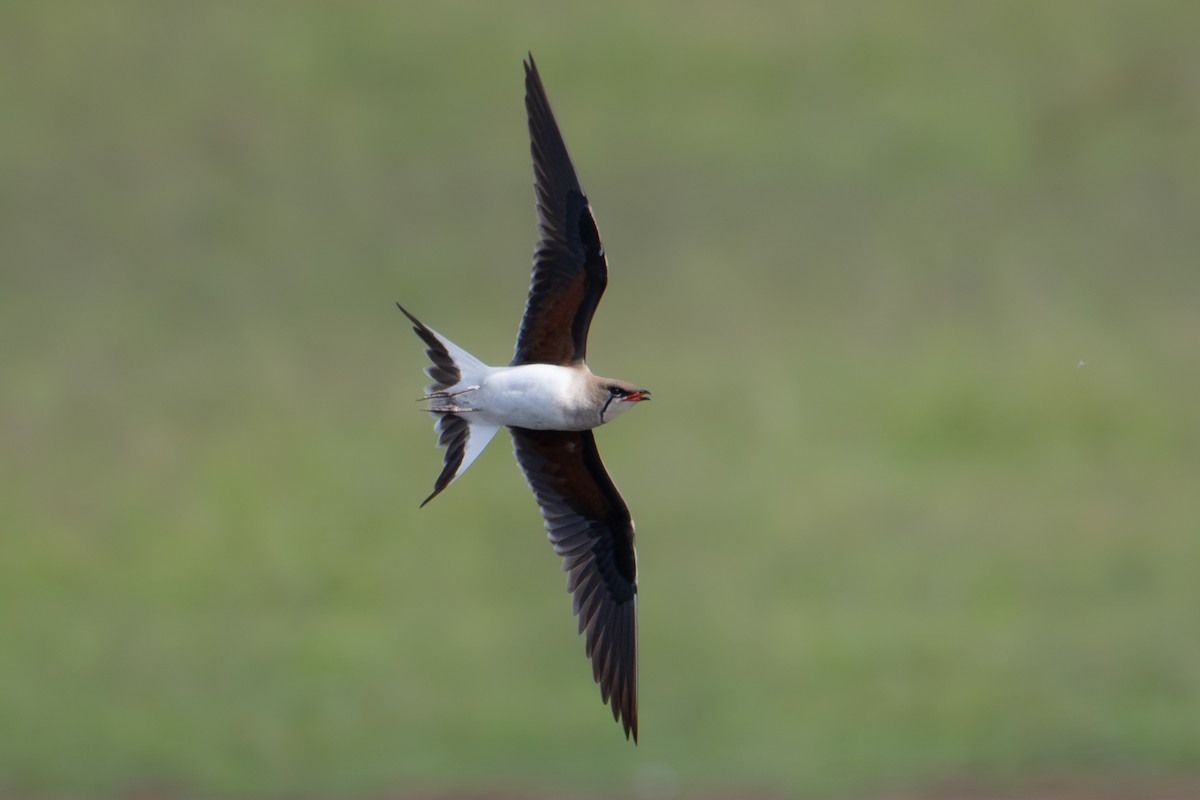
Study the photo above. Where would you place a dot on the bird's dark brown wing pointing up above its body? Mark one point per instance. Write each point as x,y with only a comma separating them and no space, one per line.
569,268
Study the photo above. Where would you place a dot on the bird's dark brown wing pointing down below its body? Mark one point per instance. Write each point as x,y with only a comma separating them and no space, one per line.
590,527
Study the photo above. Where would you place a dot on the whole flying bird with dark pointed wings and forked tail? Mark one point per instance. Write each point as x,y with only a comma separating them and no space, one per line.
550,402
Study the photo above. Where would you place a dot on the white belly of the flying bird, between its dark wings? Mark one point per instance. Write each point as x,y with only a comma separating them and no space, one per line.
539,396
